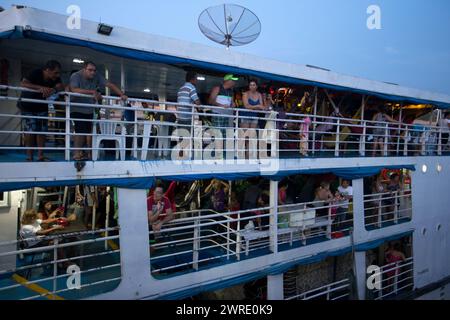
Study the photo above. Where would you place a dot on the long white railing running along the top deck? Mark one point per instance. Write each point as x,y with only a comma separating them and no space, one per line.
284,132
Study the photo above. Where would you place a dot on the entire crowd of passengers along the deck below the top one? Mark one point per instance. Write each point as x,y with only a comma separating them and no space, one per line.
326,194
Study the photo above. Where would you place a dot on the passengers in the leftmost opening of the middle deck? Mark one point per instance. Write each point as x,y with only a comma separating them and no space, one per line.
85,205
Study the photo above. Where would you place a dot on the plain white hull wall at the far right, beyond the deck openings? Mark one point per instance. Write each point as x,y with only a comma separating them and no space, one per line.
431,208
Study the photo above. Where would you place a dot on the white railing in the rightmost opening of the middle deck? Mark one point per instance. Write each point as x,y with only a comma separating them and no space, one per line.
384,209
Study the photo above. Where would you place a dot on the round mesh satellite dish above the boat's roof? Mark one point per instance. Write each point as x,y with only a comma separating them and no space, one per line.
230,25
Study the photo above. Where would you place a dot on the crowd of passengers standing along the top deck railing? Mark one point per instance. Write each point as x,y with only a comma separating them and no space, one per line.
257,104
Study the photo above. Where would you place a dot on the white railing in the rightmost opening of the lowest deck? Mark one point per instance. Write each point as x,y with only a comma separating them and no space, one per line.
396,278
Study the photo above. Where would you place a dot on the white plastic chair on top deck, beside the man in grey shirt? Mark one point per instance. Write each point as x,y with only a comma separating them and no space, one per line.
108,132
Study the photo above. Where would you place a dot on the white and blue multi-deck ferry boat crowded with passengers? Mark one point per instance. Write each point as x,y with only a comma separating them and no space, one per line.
387,239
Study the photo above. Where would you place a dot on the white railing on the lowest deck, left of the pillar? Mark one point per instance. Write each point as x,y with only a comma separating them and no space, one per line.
339,290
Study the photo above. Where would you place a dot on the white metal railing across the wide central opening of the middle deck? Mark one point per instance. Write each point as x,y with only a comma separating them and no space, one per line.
205,236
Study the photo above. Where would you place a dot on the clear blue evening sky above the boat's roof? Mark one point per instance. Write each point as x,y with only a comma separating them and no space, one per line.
411,49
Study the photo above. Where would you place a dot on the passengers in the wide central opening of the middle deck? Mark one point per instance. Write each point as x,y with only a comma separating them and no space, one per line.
325,193
